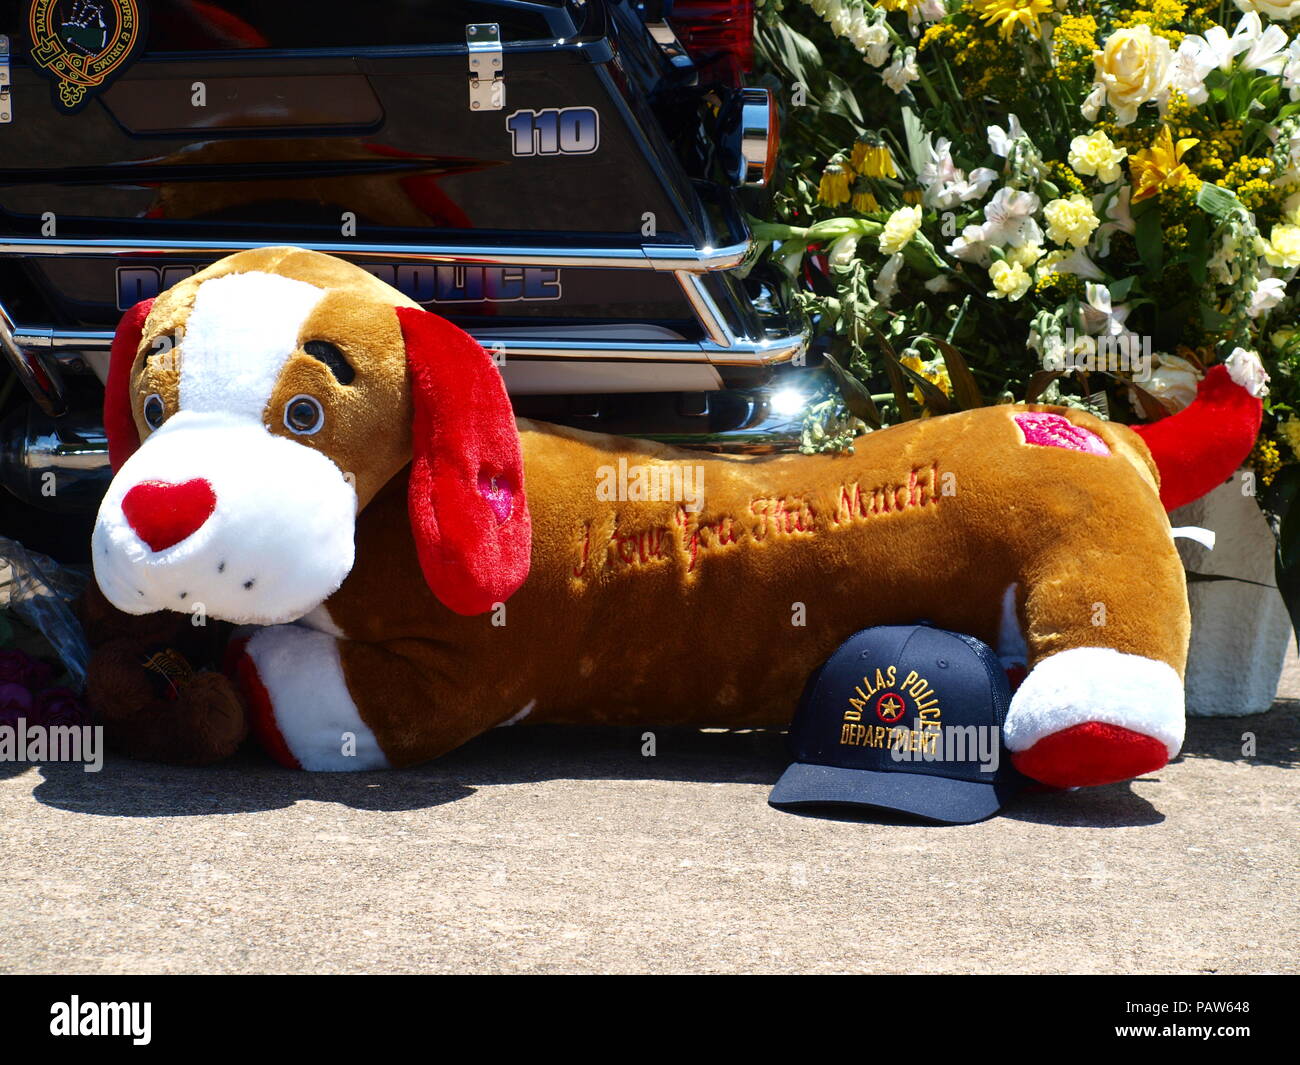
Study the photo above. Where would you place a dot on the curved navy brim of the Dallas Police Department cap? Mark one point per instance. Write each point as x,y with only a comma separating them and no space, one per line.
921,795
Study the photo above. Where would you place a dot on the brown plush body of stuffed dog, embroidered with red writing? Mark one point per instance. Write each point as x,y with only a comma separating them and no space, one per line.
647,613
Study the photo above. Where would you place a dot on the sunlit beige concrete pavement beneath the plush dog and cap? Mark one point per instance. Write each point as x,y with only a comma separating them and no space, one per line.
553,850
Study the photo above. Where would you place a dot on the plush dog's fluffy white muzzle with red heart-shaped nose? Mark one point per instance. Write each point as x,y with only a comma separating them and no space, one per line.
216,514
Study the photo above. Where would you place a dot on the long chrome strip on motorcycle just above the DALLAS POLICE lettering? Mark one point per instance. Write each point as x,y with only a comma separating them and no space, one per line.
644,258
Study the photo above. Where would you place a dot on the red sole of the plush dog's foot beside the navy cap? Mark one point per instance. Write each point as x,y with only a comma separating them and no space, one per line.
1094,754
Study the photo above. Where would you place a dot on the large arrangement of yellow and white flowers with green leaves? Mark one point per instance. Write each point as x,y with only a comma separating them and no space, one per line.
1045,201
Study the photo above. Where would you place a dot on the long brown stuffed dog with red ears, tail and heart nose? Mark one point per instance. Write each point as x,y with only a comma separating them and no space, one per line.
301,448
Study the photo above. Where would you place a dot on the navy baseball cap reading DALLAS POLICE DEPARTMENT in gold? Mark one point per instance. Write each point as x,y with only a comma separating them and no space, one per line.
904,718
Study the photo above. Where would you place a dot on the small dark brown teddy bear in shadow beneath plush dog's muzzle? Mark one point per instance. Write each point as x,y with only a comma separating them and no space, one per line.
155,685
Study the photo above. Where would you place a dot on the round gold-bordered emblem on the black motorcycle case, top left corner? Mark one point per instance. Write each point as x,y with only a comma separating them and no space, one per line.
84,45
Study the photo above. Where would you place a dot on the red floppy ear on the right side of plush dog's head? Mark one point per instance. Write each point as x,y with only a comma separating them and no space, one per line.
469,512
